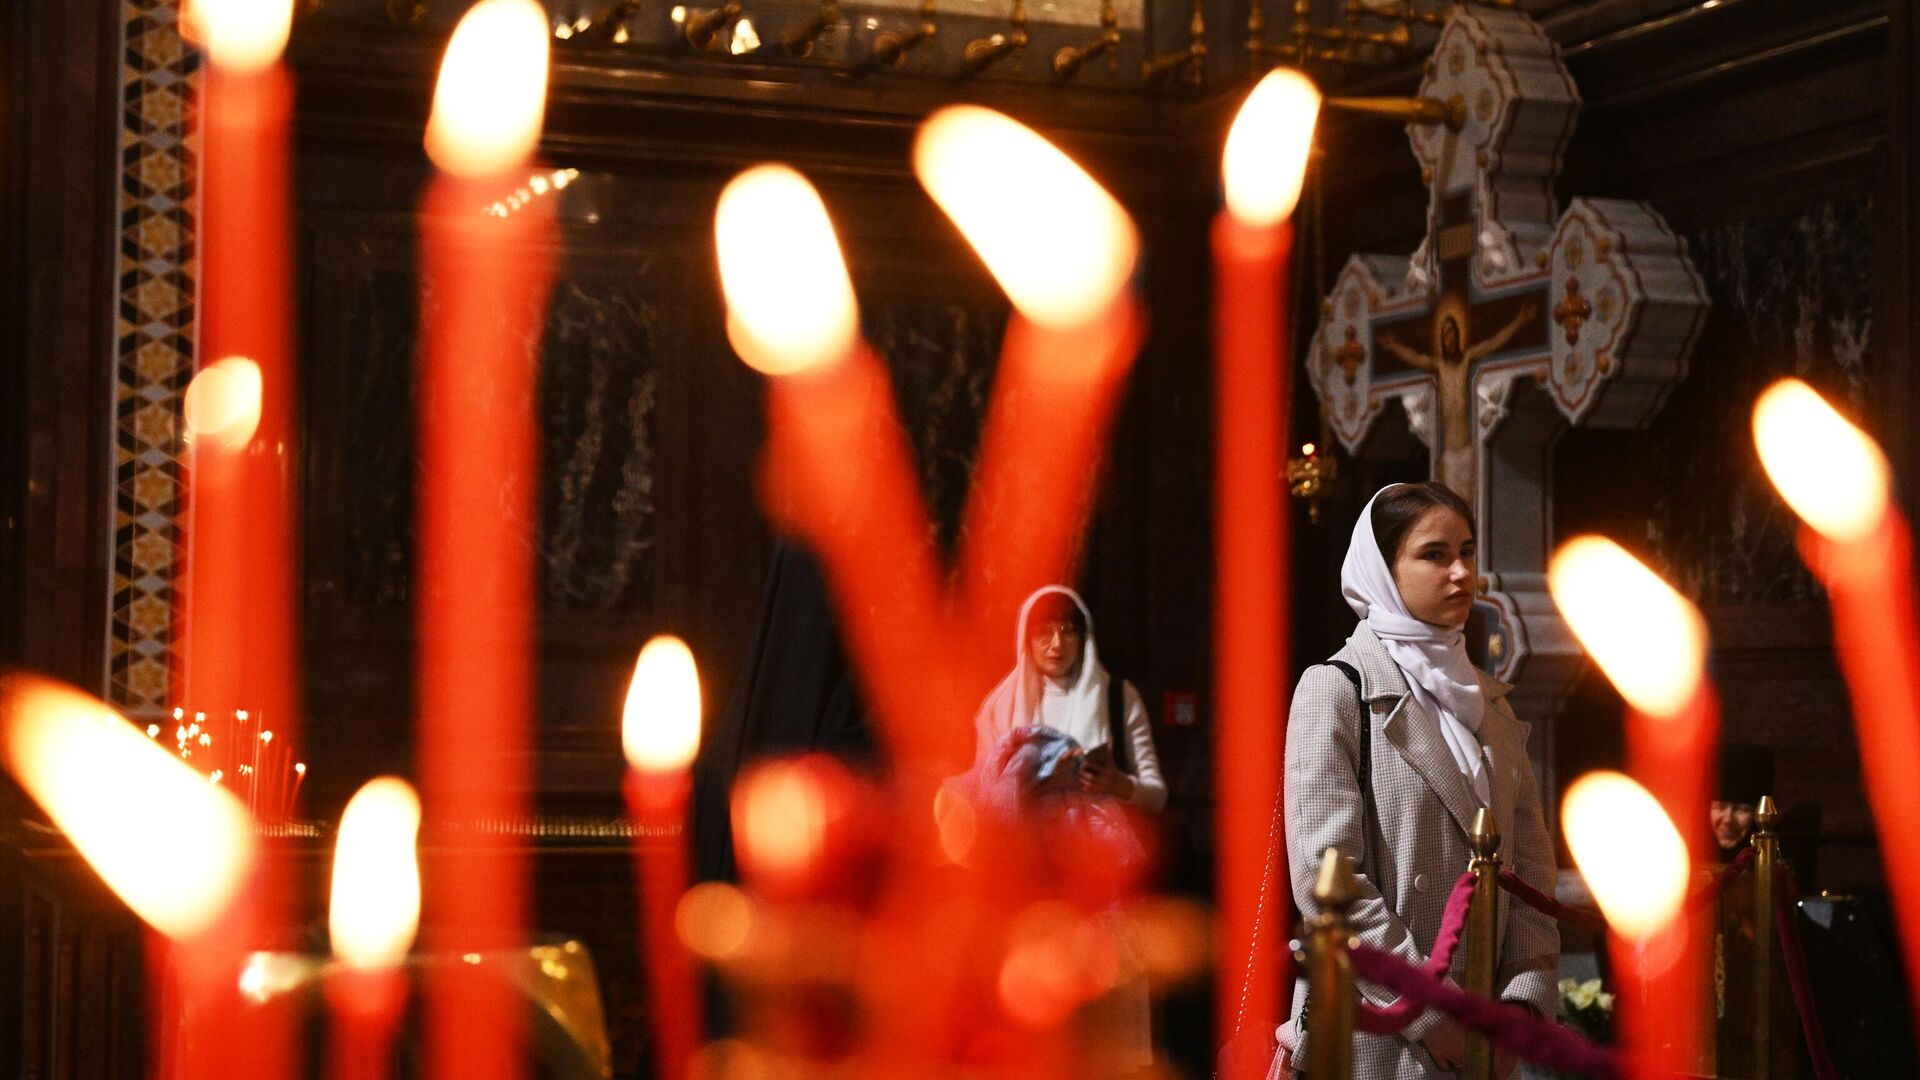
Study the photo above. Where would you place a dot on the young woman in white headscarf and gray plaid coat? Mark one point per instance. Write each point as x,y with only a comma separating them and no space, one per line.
1443,743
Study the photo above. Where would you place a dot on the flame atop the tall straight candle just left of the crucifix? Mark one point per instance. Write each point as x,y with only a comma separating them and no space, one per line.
1266,157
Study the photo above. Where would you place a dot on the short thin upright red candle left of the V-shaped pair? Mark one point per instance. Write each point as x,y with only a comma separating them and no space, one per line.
661,735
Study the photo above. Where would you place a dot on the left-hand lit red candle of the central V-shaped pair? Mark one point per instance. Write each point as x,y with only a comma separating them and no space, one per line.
838,470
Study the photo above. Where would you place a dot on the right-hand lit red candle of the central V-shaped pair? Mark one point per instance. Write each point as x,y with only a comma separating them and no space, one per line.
1063,249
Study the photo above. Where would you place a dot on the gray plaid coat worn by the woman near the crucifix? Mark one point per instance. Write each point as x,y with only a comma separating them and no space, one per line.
1418,847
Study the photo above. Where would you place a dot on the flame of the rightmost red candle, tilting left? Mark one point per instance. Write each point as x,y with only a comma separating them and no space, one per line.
1831,472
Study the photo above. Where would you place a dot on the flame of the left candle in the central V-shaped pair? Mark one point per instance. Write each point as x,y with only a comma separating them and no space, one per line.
790,301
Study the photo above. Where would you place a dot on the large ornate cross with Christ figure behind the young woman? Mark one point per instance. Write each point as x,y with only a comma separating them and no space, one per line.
1508,324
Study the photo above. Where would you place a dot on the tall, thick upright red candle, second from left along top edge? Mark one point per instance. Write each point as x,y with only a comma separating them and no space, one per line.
487,270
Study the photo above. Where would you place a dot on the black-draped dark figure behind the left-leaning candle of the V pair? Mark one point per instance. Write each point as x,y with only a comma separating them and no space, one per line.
796,695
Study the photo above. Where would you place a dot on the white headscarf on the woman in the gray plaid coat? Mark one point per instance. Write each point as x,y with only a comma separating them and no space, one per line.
1433,658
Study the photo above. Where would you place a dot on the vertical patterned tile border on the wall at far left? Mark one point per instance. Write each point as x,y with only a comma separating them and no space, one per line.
155,347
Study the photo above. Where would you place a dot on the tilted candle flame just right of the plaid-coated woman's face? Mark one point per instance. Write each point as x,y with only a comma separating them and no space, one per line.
1643,635
